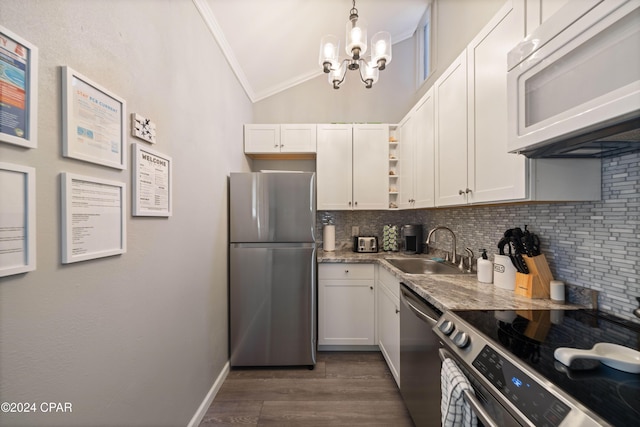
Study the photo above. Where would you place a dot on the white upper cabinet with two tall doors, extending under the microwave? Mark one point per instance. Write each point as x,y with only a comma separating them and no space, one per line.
473,164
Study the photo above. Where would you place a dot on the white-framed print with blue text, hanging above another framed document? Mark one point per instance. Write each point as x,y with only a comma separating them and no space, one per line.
93,122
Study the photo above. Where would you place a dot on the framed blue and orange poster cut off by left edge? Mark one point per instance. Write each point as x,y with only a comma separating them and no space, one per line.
18,90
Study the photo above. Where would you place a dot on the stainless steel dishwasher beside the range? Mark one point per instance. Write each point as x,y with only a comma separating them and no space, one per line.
419,359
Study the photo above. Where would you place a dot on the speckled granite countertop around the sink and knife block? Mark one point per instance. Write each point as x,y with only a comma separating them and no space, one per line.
448,291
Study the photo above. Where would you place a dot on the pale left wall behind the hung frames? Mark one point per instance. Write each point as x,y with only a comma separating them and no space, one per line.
136,339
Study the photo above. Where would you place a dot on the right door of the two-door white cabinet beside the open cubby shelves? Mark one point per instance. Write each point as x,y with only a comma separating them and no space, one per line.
424,167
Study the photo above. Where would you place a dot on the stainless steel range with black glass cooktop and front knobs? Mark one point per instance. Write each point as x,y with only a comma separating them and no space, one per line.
508,358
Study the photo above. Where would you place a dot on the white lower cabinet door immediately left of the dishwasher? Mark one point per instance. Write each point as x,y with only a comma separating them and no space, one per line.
388,320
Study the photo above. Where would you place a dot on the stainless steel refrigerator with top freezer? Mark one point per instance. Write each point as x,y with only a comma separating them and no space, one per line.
272,269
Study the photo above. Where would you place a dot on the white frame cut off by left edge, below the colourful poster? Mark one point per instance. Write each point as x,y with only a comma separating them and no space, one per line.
17,219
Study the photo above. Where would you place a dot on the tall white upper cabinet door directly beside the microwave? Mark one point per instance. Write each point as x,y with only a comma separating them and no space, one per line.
494,173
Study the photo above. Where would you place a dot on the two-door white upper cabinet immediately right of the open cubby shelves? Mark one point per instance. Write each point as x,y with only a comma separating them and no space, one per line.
416,167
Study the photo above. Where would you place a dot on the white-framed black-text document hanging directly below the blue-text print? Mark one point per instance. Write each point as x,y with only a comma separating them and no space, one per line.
93,218
